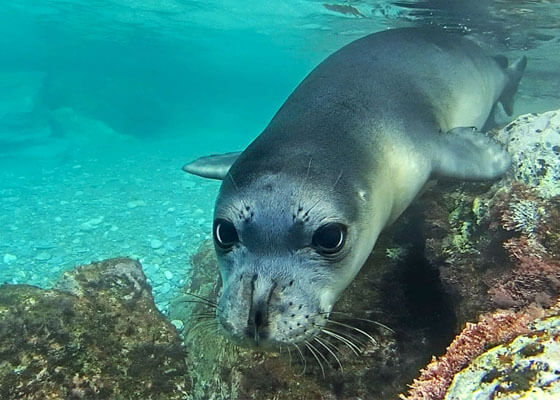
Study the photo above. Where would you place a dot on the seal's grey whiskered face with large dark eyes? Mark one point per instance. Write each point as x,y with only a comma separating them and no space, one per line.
284,257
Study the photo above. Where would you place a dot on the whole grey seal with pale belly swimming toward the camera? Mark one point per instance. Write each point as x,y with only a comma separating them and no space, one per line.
300,210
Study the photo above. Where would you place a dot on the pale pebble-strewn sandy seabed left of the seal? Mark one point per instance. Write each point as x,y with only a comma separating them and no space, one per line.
125,199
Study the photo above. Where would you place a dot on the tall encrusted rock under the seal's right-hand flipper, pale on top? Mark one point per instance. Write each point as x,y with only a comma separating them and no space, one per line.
498,245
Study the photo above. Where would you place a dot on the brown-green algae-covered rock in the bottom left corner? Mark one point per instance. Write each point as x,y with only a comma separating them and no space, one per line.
98,335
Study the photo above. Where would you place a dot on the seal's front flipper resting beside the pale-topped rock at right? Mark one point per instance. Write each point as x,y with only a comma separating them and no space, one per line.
469,154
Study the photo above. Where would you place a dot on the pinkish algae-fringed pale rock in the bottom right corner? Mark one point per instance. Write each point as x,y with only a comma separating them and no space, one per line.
506,355
